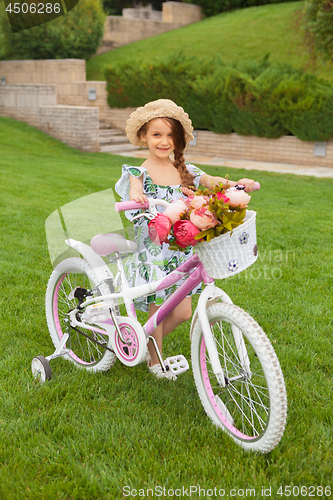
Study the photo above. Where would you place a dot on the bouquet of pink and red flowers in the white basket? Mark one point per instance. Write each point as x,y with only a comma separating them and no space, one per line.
204,215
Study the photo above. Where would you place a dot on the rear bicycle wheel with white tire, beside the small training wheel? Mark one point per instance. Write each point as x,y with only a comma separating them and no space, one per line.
84,353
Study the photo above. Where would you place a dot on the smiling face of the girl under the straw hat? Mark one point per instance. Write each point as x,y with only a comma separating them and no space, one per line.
159,138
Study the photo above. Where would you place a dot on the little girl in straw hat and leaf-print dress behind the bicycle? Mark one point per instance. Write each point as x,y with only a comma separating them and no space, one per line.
164,128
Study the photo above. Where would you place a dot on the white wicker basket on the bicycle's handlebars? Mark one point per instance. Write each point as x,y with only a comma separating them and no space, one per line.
230,254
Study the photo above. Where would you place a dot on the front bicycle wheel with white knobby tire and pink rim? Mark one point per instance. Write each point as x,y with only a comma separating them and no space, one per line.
252,407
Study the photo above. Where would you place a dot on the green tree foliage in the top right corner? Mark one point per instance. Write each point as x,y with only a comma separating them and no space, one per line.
318,24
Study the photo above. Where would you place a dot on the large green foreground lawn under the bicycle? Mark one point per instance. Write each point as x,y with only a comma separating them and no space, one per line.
86,436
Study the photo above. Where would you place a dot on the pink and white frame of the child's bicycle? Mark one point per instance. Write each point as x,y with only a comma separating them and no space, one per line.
194,273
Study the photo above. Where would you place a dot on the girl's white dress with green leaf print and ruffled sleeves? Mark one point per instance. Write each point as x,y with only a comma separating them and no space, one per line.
152,262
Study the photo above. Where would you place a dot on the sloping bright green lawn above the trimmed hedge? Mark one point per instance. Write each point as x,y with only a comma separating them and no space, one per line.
236,36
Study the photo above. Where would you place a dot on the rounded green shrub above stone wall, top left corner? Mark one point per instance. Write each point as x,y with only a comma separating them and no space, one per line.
74,35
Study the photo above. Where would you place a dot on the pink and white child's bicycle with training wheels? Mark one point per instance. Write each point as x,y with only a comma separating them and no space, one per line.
236,370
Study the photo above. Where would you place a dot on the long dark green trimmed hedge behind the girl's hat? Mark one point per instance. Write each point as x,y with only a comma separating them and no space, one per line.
253,98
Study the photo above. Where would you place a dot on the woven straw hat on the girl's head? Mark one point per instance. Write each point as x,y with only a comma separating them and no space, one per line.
162,108
